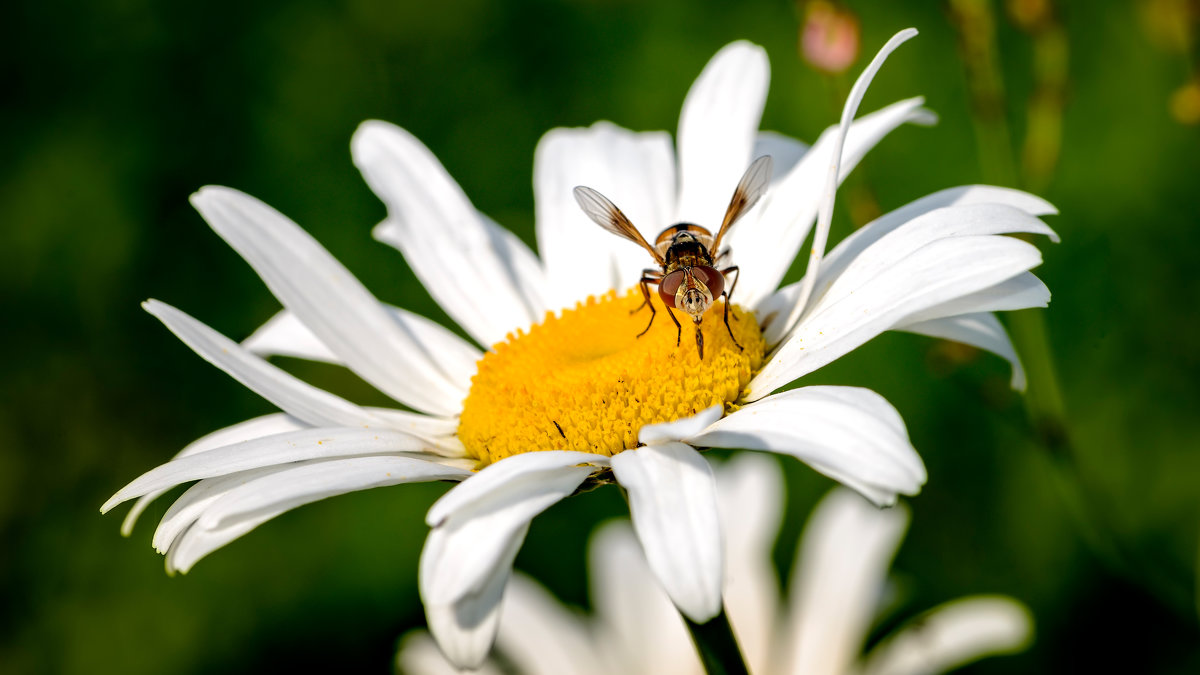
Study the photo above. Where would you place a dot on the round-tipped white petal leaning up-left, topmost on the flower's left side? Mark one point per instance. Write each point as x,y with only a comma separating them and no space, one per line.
482,274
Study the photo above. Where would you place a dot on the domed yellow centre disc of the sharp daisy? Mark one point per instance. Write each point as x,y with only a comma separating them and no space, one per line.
584,381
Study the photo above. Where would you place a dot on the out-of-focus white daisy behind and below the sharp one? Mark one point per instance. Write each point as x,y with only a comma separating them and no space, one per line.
838,589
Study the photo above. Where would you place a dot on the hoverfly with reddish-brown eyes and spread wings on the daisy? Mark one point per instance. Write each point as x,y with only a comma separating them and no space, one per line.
688,255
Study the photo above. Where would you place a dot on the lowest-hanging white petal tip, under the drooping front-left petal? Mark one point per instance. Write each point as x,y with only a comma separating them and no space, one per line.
466,628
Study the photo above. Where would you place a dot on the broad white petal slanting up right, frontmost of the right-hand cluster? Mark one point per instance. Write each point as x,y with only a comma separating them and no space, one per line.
935,274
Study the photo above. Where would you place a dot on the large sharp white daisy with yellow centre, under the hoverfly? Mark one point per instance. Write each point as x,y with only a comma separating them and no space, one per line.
565,372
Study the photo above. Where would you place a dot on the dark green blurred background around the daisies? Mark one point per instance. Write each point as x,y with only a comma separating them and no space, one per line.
117,111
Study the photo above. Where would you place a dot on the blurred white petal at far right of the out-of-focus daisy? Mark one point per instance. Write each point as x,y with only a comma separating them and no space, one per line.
953,635
